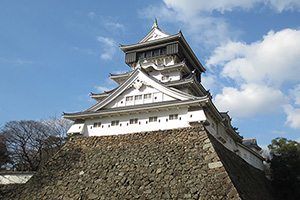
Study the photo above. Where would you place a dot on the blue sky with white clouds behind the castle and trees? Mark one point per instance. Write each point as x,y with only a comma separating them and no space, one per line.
54,53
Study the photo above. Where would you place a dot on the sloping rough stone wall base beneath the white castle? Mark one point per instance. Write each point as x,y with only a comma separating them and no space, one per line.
185,163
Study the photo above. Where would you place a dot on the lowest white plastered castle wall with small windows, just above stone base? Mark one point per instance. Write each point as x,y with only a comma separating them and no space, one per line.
163,122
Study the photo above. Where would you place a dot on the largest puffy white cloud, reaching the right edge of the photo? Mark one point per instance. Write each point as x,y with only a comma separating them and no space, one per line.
271,61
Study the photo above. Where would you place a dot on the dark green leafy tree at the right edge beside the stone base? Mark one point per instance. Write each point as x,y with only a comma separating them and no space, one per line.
285,167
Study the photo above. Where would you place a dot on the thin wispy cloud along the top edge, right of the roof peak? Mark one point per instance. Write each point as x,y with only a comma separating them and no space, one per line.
196,16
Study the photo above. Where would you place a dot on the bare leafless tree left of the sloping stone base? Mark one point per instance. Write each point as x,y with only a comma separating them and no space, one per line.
31,143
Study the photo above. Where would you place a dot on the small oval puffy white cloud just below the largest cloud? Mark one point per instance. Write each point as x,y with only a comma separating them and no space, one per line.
250,100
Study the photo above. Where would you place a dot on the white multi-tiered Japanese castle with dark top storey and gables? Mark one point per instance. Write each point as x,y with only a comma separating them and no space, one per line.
162,90
